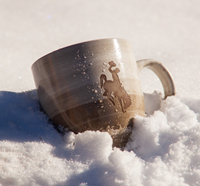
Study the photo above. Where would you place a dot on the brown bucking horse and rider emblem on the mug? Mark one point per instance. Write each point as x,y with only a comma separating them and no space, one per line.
113,89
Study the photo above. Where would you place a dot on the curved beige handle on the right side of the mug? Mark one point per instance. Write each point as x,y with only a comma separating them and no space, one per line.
163,74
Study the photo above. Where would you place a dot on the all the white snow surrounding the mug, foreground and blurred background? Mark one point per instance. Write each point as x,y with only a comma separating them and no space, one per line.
164,148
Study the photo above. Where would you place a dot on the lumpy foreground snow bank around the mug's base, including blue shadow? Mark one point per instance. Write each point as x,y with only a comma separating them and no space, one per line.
163,148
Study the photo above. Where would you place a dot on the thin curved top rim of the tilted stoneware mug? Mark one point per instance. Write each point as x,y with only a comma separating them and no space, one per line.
76,44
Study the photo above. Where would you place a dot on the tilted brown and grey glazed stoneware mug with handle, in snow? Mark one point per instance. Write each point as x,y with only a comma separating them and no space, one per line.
95,85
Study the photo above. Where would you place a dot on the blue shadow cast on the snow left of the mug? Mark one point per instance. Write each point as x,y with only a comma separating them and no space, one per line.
22,119
